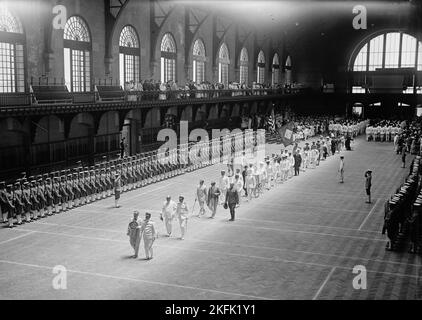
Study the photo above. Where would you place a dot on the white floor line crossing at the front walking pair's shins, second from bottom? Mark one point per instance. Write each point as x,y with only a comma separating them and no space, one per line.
230,254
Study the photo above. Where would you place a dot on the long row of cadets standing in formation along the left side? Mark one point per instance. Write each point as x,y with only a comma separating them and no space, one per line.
29,199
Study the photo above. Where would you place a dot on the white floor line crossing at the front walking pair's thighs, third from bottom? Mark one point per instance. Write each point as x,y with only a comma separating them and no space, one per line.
247,246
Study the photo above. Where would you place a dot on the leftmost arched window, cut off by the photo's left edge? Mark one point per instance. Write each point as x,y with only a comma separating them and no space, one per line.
12,42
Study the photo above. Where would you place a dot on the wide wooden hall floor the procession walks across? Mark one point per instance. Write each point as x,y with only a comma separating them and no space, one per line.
300,240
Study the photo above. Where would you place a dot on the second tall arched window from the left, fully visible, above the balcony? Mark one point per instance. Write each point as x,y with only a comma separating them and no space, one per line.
77,55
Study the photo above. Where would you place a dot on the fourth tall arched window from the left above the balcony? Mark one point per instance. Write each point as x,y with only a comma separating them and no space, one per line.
168,58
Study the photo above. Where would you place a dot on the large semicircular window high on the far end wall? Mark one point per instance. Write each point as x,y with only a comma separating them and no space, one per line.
389,50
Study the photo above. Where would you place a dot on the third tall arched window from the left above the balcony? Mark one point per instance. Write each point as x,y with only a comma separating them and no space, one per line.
129,55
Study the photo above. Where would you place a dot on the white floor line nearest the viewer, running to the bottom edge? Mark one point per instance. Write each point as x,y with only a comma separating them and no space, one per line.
138,280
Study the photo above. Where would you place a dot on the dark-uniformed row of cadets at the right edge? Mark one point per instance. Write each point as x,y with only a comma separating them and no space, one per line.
403,213
